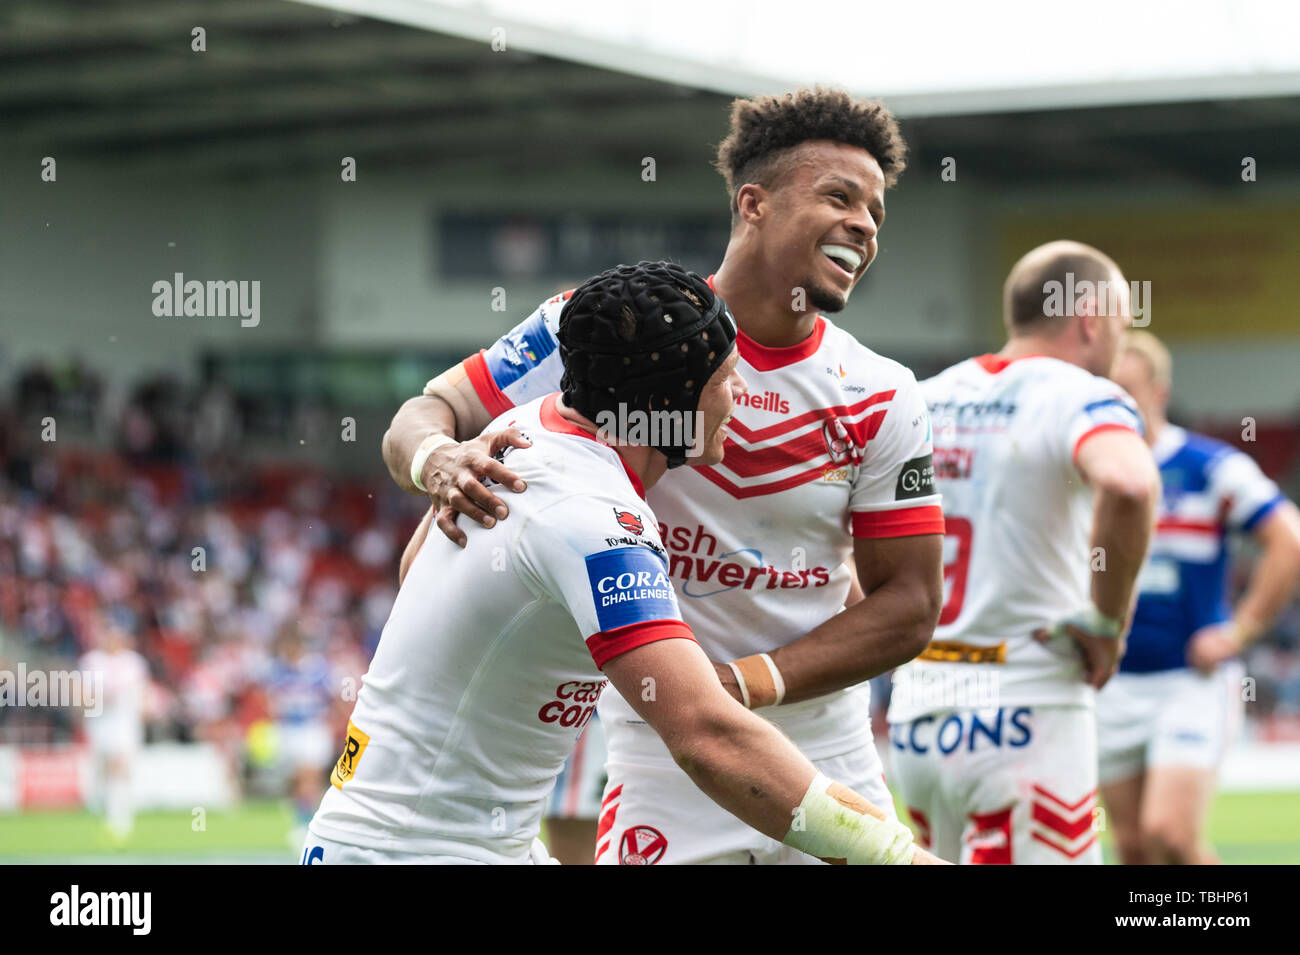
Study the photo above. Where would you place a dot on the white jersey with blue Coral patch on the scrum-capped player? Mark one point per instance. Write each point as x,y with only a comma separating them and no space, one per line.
488,668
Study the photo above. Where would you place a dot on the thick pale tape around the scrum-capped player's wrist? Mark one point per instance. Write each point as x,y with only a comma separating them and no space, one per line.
838,826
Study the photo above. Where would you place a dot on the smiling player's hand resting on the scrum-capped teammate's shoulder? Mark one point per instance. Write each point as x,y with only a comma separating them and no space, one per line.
456,476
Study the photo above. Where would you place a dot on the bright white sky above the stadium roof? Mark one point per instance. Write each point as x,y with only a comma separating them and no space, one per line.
924,57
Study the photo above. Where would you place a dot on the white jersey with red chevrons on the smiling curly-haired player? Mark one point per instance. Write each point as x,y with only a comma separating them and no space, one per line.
833,442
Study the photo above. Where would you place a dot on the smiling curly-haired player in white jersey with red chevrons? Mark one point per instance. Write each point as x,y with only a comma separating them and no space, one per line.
829,458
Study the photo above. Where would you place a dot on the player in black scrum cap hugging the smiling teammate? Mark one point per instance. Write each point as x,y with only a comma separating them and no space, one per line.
495,656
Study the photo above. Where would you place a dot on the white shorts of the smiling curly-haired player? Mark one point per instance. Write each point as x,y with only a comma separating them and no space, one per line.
656,815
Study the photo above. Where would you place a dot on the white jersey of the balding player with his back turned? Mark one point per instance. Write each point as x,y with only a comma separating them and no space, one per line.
1019,522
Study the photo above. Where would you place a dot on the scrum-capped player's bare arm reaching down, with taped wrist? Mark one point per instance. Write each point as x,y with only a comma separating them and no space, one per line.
748,767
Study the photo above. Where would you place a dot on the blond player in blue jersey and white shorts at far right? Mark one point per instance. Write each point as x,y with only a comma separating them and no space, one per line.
1169,715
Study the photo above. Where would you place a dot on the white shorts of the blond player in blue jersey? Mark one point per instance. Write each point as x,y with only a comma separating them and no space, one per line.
1169,719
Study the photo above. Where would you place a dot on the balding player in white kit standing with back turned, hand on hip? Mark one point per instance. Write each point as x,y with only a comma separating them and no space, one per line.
1048,498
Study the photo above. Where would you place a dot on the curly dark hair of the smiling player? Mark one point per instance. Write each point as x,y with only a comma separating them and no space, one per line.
765,131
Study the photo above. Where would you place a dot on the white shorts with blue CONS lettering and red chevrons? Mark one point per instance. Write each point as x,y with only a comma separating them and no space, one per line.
1000,787
